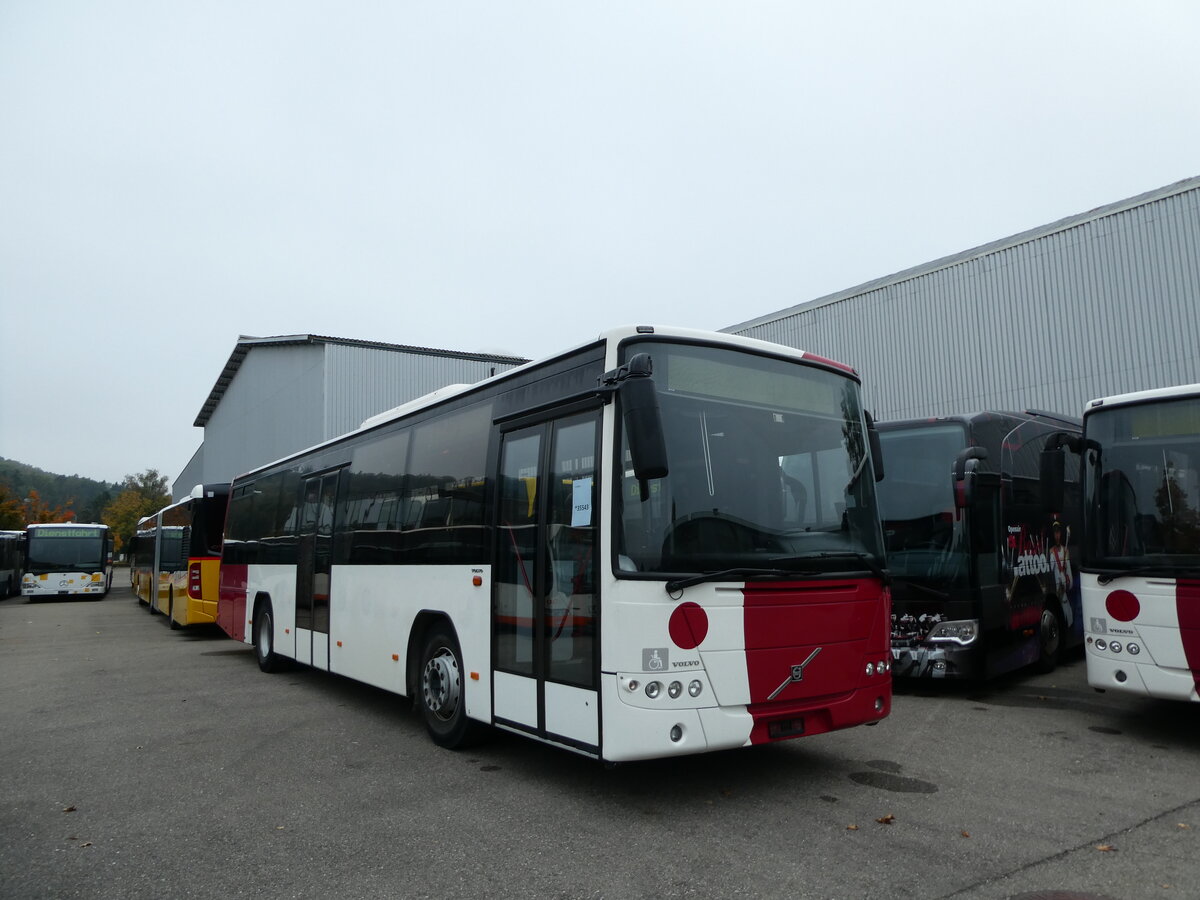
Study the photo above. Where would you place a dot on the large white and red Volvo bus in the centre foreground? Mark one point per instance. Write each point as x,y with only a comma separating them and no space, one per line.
663,542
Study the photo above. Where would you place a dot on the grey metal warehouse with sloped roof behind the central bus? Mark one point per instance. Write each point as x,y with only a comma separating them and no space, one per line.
278,395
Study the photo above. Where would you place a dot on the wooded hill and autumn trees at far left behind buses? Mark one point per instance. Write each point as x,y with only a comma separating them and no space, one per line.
31,496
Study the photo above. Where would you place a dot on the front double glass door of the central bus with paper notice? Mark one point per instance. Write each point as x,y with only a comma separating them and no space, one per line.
545,609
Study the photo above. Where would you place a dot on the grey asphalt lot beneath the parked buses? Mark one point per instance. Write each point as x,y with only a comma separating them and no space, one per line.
143,763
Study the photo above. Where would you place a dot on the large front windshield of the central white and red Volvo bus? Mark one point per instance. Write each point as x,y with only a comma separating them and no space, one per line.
770,467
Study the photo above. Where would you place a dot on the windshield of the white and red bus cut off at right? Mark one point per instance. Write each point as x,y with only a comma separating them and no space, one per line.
1142,483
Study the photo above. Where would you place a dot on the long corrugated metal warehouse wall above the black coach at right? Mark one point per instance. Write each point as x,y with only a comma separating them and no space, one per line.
1097,304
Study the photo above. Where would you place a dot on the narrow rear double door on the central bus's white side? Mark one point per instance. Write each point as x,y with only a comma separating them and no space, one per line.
314,568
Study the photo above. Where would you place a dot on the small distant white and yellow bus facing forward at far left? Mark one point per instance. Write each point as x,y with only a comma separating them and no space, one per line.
68,560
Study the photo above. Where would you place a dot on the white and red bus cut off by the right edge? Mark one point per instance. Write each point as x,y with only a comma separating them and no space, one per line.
1142,543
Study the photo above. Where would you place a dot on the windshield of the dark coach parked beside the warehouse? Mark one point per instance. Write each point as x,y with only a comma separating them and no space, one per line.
925,537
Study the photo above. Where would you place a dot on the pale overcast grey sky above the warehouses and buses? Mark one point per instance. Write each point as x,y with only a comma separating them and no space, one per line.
517,177
